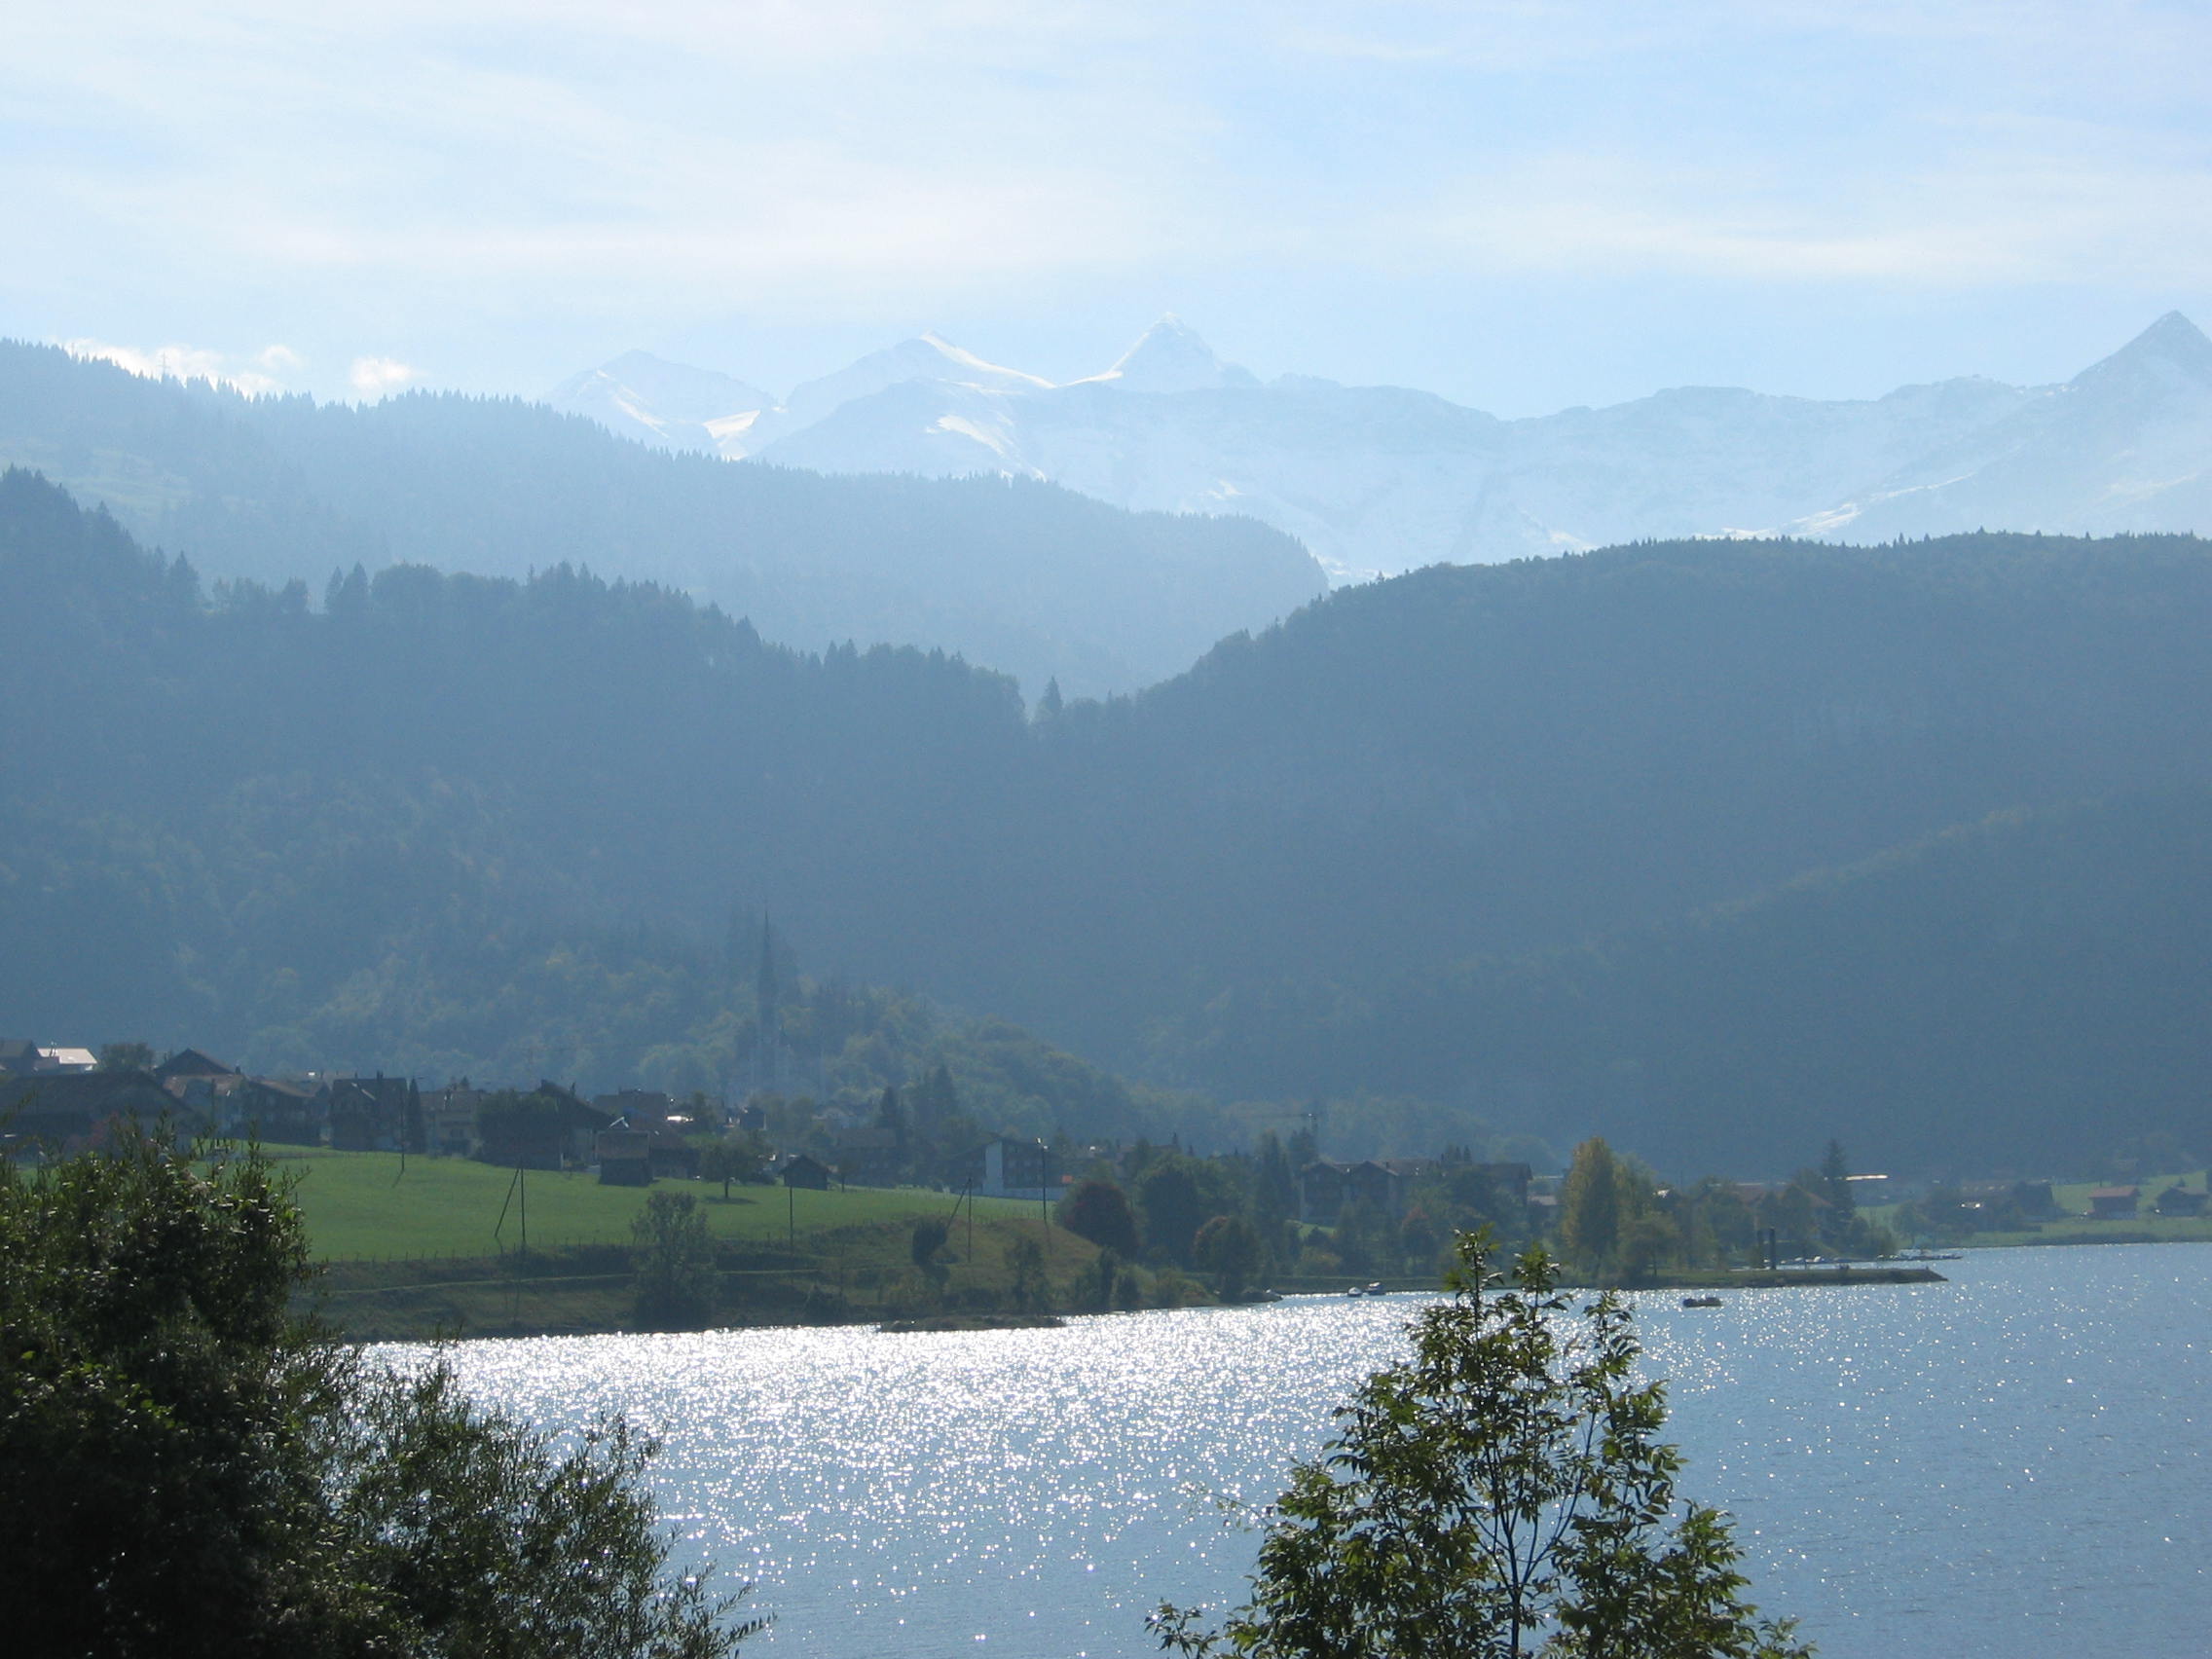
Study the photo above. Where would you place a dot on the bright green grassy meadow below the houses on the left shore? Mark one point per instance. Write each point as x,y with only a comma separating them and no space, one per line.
362,1207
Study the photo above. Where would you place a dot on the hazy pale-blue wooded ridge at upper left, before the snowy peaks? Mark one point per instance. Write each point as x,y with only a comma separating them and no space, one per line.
1019,576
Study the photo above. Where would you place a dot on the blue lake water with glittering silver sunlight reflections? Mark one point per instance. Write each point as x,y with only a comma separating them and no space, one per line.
2014,1463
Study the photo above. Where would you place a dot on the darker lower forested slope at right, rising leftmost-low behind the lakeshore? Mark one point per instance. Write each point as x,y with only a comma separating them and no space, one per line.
2021,994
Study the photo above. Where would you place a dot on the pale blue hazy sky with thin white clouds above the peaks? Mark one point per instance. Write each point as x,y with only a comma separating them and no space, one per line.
1516,205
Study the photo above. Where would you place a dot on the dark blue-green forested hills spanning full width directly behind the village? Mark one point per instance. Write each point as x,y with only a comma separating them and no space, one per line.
1720,848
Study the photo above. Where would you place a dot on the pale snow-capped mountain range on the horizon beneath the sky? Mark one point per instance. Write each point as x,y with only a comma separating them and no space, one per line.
1384,481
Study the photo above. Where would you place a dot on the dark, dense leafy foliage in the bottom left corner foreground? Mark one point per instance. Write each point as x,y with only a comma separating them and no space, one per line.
187,1468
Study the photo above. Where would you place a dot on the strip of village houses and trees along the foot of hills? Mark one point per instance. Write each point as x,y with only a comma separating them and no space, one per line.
1384,1215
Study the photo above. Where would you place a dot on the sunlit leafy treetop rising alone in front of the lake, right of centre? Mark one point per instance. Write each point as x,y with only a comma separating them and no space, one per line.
1499,1494
